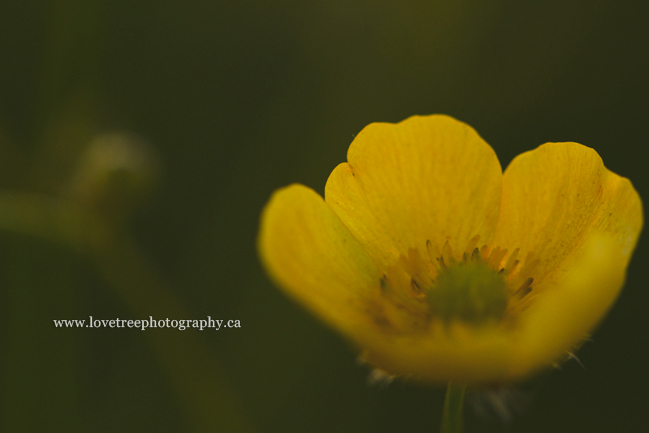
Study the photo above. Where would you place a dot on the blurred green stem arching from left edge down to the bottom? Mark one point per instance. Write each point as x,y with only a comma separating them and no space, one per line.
183,356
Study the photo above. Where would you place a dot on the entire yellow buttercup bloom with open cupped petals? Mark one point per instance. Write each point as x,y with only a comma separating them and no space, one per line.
440,267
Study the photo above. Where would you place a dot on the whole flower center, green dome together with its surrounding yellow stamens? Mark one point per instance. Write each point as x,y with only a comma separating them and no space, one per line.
478,286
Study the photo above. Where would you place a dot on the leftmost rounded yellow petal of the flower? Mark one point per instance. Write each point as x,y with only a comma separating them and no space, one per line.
312,256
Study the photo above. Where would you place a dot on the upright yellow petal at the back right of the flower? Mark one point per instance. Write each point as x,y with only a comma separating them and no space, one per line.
554,197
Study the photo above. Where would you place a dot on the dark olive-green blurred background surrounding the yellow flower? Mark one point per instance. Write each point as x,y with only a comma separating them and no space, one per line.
202,109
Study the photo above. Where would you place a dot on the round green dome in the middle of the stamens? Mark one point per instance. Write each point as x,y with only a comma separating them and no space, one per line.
470,291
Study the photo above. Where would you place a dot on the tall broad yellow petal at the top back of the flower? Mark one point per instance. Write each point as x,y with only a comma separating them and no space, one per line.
426,178
